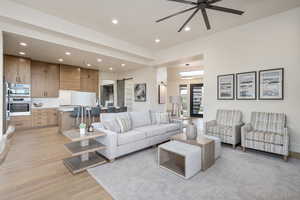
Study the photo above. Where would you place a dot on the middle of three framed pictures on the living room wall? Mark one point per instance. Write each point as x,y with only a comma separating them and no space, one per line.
246,86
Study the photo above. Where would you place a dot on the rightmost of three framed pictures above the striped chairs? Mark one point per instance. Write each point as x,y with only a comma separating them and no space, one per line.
271,84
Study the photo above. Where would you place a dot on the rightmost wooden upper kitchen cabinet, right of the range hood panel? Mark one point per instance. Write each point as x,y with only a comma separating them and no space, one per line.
89,80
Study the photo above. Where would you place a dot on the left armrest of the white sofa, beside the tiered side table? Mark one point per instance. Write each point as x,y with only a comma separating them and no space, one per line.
110,141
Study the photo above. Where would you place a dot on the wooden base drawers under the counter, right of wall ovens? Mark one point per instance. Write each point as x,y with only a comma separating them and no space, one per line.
44,117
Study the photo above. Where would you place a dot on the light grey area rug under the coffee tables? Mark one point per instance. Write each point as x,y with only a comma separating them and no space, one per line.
234,176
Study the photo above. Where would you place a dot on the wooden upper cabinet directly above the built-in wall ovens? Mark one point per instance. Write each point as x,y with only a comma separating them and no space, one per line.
17,70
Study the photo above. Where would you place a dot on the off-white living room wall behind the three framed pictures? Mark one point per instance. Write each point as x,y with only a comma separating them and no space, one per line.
268,43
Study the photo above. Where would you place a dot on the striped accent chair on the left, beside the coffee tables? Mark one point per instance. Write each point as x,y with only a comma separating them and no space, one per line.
227,126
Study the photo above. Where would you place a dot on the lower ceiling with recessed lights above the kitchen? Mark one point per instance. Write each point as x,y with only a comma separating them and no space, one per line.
50,52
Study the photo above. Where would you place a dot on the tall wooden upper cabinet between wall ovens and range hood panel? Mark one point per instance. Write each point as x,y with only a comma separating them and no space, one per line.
45,79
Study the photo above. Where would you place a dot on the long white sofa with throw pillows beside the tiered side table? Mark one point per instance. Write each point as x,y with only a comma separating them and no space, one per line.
145,132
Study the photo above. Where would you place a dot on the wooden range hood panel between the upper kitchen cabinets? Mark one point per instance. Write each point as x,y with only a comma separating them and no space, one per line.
69,77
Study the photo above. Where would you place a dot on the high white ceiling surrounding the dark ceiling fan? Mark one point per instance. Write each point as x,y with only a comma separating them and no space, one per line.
137,17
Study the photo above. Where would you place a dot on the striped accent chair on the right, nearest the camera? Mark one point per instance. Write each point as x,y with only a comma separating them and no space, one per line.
267,132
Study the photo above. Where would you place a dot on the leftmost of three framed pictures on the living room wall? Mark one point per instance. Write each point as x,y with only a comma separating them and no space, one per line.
226,87
